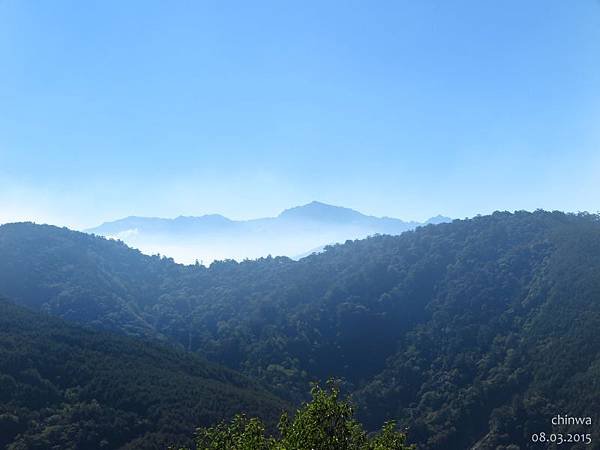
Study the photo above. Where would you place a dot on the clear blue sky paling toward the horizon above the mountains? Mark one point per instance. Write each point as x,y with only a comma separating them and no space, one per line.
398,108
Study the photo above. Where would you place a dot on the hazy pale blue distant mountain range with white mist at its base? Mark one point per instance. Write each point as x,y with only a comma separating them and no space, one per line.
296,232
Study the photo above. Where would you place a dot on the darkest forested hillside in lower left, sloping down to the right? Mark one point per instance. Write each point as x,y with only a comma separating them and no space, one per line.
62,386
